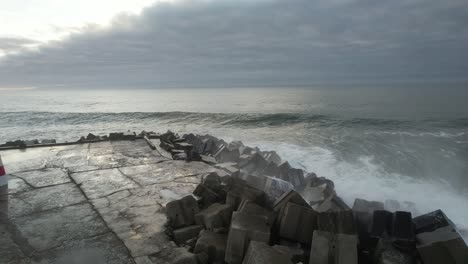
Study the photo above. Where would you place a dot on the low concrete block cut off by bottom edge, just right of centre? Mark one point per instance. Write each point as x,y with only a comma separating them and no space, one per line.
261,253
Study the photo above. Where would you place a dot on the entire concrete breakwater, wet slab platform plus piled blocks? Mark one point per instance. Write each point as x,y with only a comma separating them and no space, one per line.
199,199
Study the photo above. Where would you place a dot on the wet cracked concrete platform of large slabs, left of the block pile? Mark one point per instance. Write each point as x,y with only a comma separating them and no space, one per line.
92,203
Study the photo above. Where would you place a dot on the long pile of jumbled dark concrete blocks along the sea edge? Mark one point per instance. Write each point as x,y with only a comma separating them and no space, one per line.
258,209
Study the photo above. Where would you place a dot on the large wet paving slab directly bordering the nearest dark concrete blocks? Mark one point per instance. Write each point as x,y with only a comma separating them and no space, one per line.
138,218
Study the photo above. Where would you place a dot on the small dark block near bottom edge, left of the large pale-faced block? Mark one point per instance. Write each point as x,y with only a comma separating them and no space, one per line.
213,244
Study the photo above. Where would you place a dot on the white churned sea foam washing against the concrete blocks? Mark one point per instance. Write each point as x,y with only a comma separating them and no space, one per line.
365,179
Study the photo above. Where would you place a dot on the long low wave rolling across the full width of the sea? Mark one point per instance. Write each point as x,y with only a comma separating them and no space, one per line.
234,119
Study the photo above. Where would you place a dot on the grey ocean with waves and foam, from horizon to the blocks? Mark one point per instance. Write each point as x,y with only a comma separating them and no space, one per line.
407,144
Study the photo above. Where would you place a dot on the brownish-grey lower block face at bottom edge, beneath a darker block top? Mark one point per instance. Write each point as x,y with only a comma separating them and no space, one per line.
330,248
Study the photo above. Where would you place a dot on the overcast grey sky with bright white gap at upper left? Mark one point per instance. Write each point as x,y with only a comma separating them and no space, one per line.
144,43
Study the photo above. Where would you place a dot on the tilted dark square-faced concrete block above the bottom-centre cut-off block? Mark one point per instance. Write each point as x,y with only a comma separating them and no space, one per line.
298,223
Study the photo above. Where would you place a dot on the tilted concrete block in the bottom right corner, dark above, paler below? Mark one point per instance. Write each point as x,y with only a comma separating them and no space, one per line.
438,241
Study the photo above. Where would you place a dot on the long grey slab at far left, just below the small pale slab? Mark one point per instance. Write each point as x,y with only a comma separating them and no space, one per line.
46,198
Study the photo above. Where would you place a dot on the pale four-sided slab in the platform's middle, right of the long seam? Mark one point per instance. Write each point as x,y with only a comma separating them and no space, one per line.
100,183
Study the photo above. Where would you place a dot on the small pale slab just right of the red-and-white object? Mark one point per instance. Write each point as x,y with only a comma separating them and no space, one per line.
44,177
